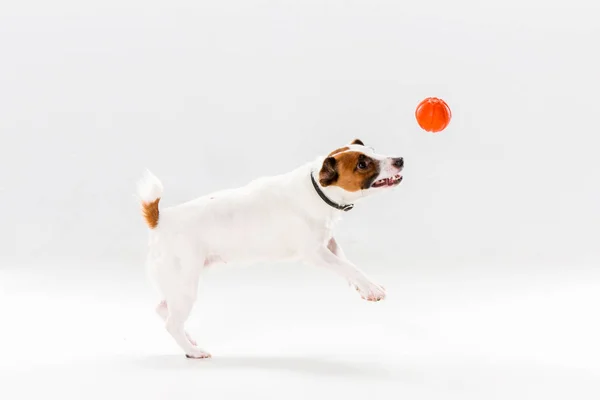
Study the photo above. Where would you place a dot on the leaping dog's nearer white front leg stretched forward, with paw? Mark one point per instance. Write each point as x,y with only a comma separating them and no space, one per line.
327,258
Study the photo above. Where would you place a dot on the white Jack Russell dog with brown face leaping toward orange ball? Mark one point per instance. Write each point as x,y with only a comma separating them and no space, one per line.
286,217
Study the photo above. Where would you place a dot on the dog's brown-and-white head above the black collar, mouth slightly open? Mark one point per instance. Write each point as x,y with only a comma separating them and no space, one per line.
356,171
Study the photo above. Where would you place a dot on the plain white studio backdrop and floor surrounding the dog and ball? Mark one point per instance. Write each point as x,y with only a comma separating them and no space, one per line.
488,248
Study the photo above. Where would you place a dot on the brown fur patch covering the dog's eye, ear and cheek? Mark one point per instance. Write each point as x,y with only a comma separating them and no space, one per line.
343,170
